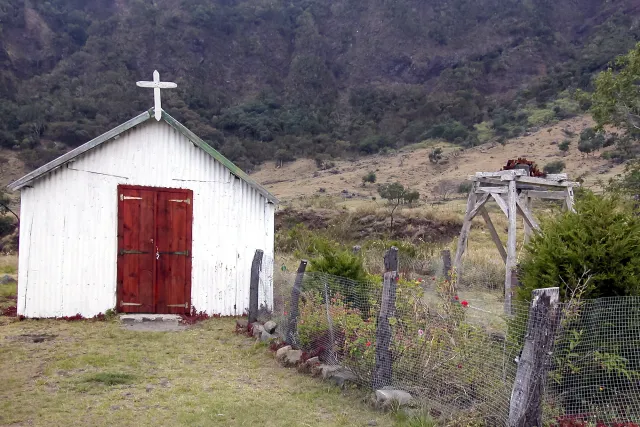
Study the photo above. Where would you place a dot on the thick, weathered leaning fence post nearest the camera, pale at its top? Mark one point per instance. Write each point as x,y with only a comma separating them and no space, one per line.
525,409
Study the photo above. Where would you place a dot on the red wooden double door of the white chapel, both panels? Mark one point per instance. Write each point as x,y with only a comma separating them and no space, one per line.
154,249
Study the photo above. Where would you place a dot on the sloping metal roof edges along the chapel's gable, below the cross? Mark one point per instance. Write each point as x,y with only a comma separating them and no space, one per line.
113,133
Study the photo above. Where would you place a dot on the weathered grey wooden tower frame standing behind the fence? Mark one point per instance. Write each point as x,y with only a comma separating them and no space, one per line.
512,190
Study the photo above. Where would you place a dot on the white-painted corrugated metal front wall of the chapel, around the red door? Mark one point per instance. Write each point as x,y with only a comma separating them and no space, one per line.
68,228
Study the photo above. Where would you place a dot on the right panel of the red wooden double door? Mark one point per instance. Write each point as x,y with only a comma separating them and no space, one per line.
173,245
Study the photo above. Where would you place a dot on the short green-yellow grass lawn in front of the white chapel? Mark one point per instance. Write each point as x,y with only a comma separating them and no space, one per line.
98,374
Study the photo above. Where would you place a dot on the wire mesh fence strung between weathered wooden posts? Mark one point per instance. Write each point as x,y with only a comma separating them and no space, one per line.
460,355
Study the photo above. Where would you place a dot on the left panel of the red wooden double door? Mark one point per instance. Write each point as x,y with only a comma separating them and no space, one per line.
136,267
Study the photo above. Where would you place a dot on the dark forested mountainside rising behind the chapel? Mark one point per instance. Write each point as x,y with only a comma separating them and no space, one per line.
279,79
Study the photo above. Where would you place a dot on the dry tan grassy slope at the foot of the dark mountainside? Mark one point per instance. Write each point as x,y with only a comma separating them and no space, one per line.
411,167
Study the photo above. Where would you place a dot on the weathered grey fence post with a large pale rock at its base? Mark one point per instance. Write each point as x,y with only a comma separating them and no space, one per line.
383,369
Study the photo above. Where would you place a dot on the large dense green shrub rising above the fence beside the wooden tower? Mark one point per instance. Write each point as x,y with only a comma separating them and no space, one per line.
600,241
